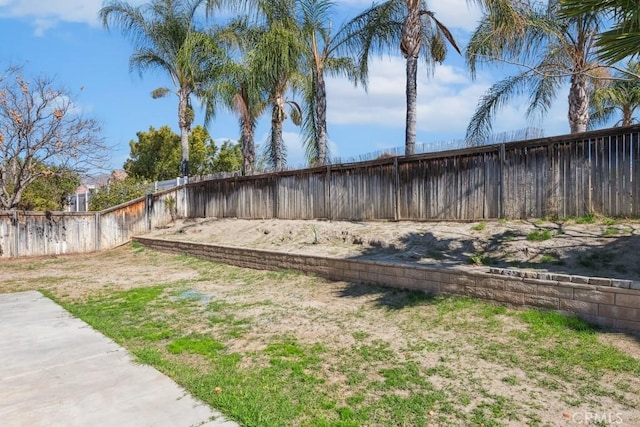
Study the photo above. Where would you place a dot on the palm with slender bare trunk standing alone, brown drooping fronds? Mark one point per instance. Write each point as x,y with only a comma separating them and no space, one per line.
411,24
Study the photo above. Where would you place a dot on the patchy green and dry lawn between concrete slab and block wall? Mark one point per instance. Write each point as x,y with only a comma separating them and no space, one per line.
280,348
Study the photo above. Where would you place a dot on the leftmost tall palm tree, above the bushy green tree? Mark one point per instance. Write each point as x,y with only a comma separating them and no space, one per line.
164,37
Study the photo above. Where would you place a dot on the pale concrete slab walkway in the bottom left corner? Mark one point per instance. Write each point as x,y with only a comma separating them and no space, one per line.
55,370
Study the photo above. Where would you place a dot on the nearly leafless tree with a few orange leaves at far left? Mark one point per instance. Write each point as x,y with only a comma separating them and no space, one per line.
41,125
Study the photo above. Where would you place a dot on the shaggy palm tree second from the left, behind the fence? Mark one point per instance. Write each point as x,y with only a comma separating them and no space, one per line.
238,87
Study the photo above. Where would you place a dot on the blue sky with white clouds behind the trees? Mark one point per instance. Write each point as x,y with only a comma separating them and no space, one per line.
65,40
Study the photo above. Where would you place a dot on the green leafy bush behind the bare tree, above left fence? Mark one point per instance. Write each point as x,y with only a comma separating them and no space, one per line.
50,191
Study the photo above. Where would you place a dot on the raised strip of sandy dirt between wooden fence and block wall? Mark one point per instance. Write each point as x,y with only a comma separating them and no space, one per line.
604,248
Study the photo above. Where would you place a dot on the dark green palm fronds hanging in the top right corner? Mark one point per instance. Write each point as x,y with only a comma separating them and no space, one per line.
623,39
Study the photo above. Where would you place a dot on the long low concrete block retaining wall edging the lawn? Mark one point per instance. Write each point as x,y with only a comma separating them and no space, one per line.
609,303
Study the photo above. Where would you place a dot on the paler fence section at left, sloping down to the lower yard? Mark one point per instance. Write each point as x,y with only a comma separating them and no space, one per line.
56,233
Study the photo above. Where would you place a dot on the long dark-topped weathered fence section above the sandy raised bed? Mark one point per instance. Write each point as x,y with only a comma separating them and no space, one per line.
571,175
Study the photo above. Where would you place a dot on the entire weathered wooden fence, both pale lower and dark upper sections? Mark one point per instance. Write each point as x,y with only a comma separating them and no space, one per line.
563,176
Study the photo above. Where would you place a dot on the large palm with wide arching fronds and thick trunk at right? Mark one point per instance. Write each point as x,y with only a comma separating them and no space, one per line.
550,50
